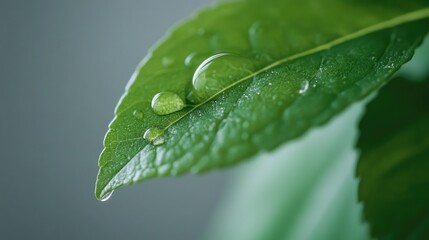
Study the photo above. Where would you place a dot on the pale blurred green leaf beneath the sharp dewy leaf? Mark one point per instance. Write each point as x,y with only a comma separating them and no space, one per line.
294,193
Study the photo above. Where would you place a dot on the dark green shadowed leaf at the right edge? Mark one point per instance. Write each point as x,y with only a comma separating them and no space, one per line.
394,165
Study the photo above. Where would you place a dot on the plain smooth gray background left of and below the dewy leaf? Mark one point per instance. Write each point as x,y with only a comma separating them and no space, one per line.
63,67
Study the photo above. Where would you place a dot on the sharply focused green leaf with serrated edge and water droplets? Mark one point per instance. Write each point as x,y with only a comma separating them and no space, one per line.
311,59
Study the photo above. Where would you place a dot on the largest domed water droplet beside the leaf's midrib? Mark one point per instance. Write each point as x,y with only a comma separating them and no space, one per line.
218,72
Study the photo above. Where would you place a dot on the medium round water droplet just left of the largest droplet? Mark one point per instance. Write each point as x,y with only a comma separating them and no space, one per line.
165,103
